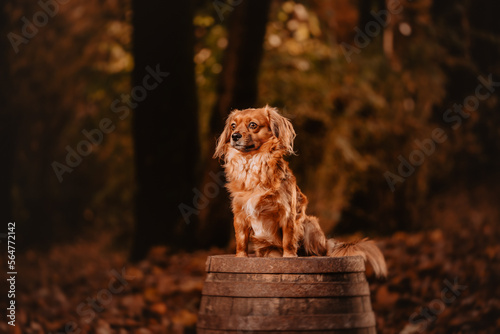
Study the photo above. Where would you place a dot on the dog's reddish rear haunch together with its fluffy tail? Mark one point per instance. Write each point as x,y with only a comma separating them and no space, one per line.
315,243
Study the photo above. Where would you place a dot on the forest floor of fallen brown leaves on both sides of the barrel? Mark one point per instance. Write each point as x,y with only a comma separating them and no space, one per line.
443,280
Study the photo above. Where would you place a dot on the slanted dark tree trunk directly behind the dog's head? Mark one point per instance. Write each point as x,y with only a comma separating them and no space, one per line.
237,89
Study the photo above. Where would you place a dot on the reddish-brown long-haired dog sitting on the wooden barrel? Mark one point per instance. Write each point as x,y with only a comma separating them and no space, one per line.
268,207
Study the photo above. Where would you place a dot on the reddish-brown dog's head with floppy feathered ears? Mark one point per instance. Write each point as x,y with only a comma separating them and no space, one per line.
248,130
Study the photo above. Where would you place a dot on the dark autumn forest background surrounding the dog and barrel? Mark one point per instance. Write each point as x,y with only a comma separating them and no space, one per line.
109,111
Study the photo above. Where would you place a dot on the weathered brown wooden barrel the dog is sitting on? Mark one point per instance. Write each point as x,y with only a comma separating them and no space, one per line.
285,295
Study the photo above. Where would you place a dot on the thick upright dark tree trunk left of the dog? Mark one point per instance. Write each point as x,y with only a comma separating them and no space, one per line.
165,124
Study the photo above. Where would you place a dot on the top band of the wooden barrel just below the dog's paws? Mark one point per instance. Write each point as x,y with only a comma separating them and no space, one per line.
284,265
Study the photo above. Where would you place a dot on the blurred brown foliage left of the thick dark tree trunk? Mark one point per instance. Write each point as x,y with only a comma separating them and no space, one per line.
67,76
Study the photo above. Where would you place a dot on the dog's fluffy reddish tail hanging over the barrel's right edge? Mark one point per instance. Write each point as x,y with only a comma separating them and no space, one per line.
365,248
